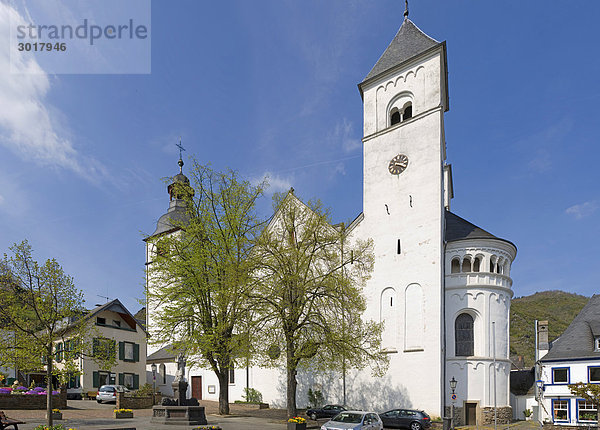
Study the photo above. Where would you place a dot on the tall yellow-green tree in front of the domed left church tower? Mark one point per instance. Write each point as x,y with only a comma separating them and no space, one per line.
199,277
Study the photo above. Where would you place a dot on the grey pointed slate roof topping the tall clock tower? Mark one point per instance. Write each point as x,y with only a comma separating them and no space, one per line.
409,42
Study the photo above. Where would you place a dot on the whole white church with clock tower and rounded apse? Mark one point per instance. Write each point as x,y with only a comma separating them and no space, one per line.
441,284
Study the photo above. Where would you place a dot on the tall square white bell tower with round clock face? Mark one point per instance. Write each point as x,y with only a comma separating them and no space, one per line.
405,96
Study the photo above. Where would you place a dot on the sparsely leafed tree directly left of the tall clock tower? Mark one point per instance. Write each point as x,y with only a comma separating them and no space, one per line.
308,294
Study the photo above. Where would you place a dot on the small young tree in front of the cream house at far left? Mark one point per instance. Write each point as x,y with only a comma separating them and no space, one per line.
40,305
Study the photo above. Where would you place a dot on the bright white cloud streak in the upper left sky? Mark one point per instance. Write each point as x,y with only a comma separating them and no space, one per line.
27,125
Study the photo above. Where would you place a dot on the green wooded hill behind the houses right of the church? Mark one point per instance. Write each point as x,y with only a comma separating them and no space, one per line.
557,307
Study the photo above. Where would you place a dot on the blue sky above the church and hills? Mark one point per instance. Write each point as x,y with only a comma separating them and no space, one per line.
270,87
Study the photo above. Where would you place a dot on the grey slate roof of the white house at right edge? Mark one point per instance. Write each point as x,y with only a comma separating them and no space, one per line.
578,340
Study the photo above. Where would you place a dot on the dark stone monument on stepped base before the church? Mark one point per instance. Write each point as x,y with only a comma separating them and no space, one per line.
179,409
